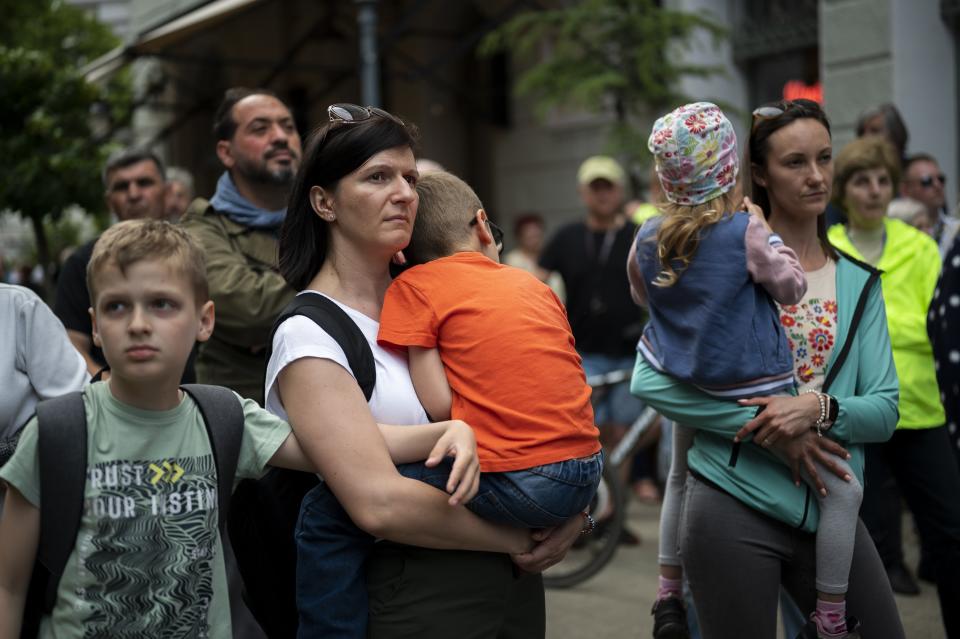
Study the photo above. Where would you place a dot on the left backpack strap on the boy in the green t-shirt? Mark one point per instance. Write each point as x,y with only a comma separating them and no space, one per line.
62,445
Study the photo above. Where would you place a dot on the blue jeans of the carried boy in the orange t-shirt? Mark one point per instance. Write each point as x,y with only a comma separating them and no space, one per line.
332,550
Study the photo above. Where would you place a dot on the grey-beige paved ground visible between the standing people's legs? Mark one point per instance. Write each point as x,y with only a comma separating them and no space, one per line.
616,603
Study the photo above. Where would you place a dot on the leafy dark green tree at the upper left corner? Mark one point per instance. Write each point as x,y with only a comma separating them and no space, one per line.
51,157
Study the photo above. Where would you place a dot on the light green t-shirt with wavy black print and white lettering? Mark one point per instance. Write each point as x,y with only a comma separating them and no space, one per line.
147,561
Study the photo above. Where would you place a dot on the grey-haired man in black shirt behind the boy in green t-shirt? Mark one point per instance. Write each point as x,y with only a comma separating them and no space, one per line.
134,188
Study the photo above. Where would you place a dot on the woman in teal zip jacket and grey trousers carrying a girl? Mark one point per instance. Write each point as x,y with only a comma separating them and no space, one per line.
747,522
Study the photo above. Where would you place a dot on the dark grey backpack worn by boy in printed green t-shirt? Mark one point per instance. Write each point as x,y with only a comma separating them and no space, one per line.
62,440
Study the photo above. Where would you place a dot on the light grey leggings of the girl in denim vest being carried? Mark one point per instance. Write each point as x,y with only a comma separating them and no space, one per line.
835,533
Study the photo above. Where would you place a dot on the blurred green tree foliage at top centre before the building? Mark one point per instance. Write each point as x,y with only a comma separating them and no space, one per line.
619,56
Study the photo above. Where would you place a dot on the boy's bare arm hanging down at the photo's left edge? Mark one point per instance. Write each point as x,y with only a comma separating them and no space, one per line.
20,532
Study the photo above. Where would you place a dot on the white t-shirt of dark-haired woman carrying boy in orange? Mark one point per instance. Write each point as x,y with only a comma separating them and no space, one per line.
394,400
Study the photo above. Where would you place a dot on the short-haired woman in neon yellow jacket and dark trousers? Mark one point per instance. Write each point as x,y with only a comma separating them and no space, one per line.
918,455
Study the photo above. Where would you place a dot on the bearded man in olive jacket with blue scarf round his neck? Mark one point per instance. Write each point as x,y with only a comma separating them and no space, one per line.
259,147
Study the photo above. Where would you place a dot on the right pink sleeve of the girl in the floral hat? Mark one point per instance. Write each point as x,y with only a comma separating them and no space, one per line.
773,265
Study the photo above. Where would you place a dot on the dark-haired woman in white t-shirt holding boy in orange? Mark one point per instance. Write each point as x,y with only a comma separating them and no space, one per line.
351,210
